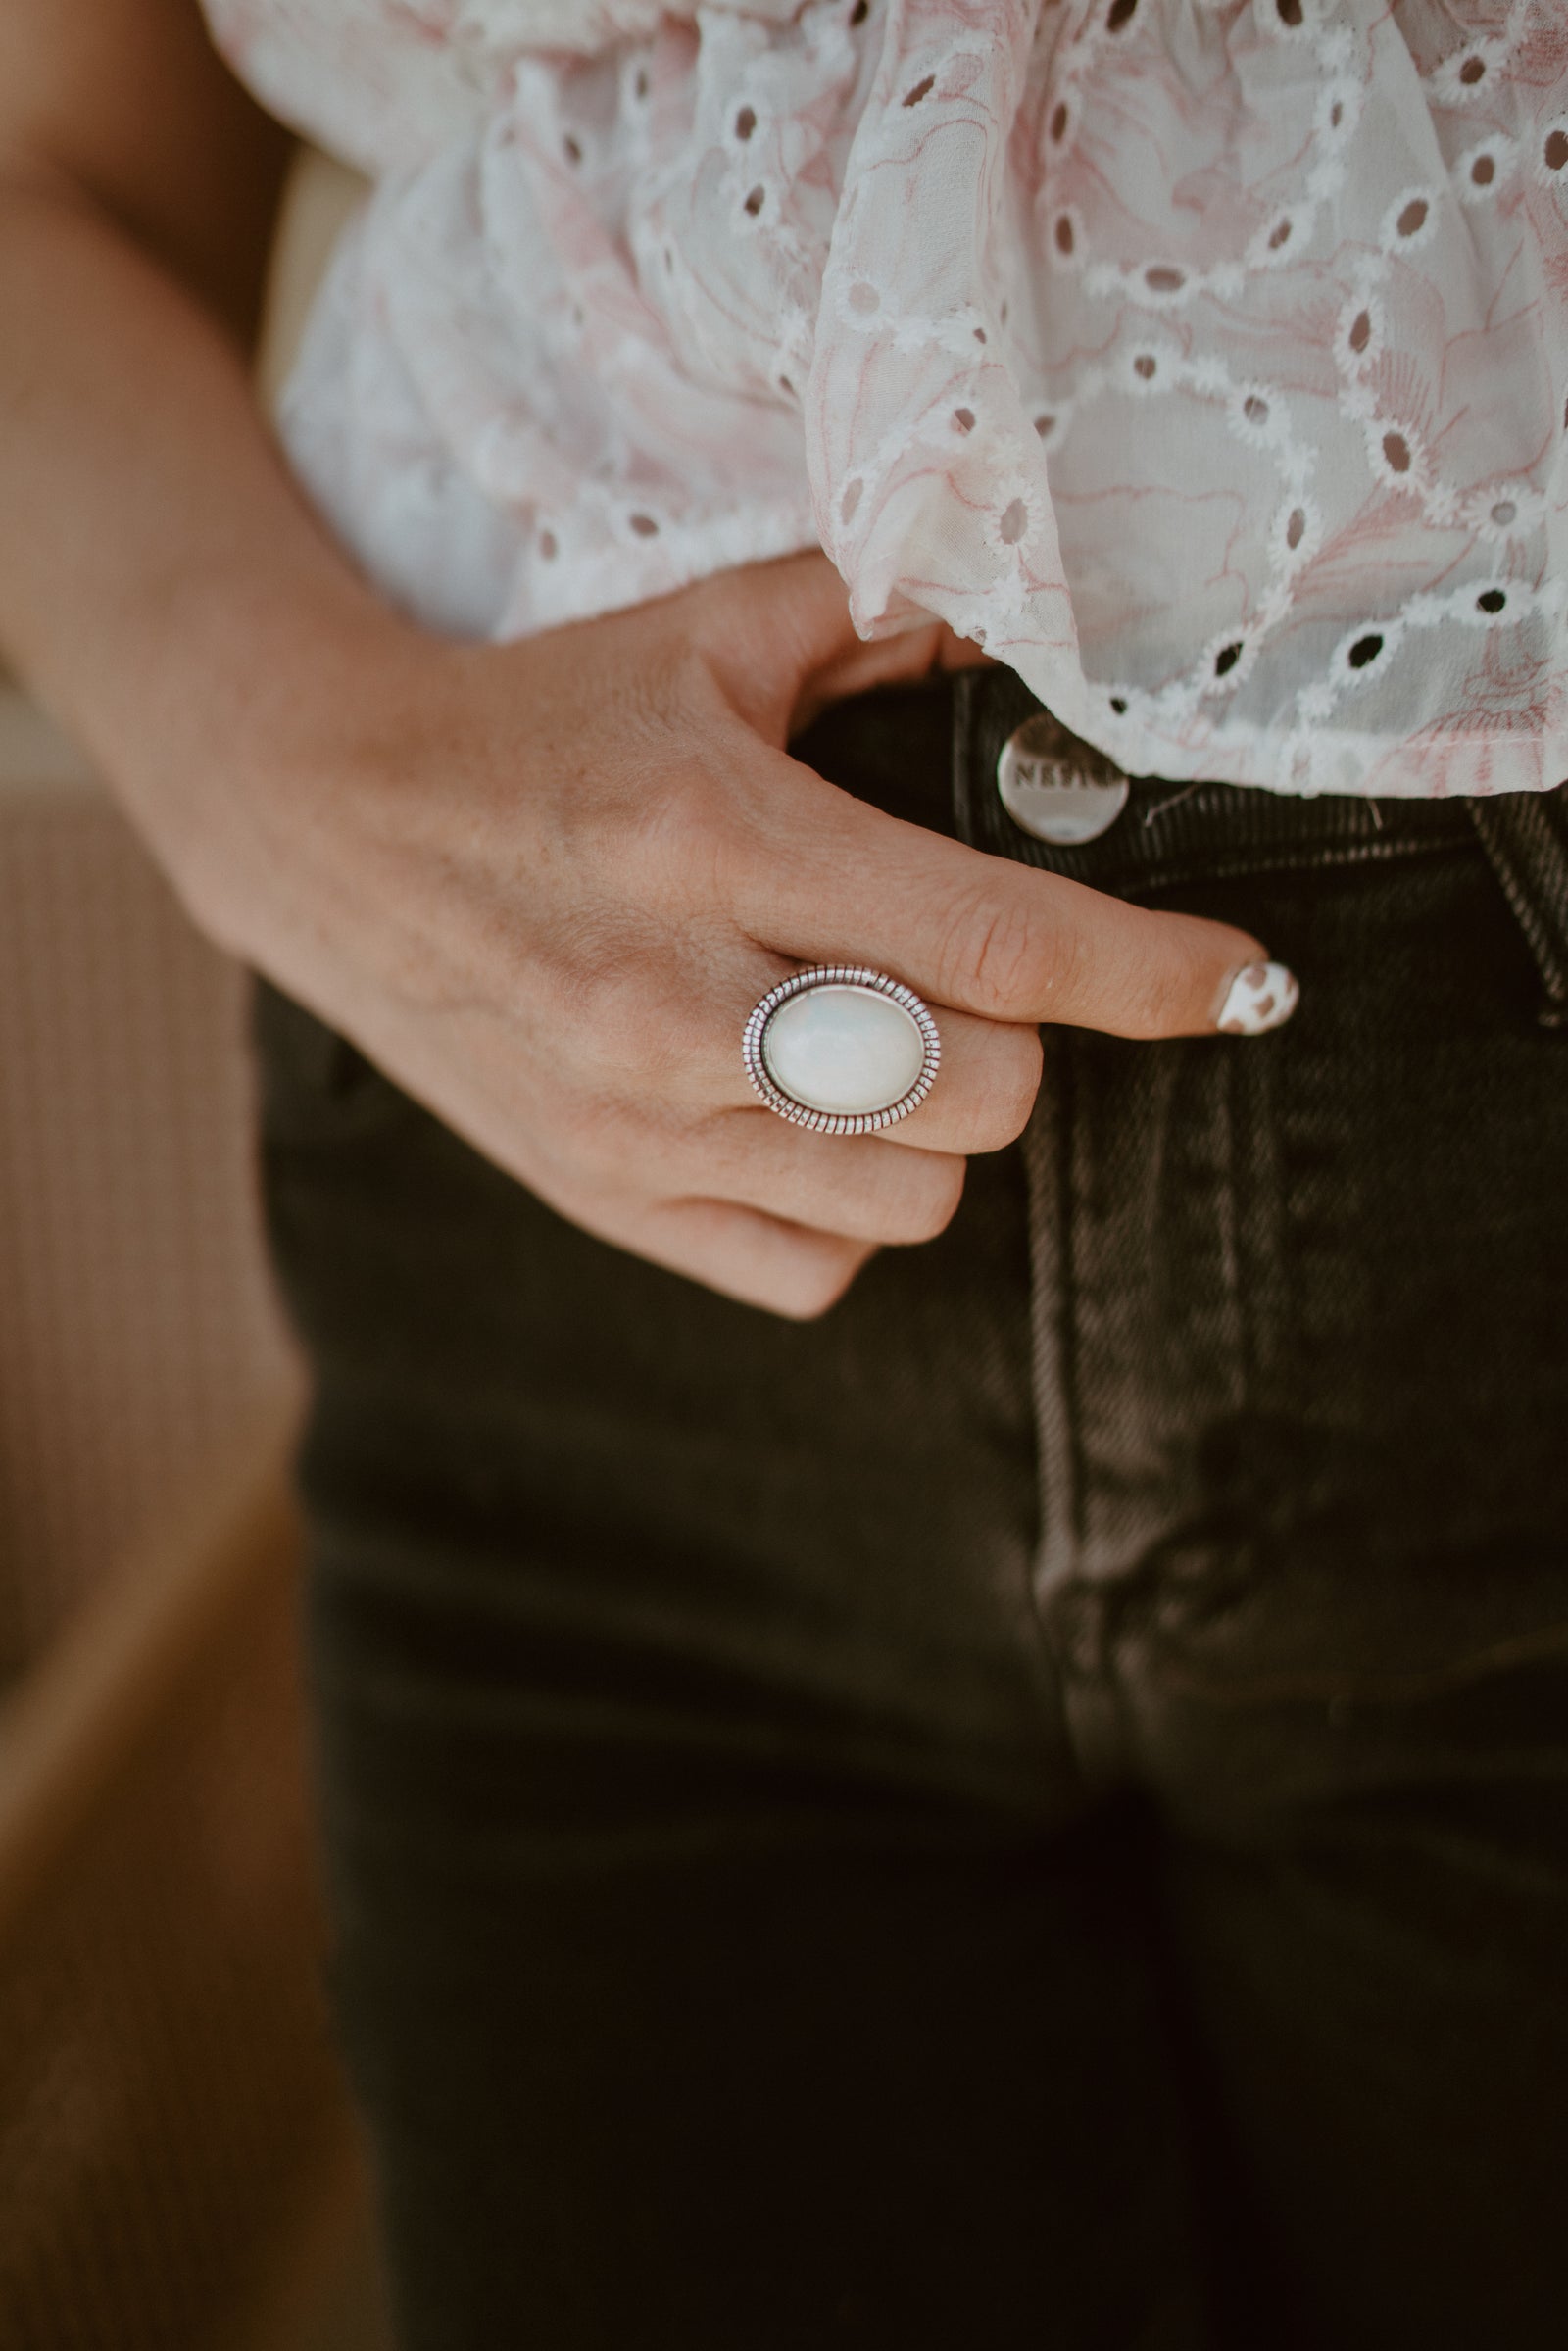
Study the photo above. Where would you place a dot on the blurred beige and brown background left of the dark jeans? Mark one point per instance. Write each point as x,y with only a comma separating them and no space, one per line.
175,2143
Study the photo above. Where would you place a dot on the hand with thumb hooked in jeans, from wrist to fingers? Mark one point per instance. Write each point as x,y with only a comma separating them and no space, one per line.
544,885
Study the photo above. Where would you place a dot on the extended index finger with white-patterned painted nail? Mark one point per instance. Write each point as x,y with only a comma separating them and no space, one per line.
1003,942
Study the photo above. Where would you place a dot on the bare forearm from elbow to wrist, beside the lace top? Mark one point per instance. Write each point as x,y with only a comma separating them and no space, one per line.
163,587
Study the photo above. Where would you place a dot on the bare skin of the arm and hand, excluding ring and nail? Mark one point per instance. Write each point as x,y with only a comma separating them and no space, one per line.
540,885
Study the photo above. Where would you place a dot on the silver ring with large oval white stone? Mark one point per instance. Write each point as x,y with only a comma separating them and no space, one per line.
843,1050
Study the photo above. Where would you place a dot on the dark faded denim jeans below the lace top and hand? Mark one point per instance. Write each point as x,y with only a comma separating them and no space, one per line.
1028,1811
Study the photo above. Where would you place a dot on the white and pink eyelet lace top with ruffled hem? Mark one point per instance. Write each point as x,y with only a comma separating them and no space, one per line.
1207,361
